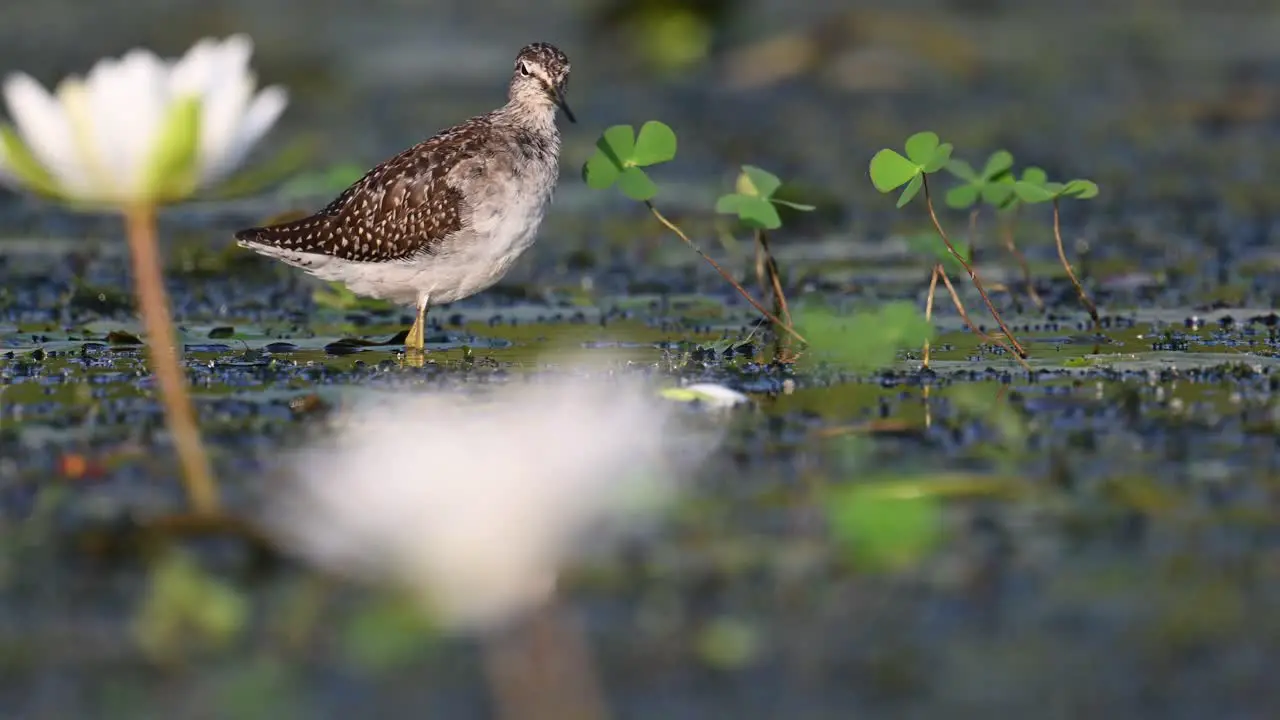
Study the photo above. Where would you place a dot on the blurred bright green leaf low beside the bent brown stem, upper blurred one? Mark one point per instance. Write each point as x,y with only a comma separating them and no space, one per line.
868,340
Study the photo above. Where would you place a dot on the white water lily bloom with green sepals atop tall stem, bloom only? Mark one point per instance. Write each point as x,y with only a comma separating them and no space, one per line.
138,130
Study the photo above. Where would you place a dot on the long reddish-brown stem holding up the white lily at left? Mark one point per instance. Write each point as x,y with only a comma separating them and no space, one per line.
140,225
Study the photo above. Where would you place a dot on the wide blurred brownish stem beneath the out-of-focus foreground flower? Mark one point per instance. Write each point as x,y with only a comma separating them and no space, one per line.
542,671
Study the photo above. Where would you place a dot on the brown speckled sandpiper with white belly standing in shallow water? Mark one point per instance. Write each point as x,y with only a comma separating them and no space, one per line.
446,218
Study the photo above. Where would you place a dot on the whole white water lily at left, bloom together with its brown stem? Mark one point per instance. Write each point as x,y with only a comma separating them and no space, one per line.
136,134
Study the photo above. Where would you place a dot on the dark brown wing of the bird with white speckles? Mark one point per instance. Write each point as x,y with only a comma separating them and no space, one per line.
400,209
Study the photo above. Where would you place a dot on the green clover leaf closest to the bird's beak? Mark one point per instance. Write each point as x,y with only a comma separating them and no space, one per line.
620,154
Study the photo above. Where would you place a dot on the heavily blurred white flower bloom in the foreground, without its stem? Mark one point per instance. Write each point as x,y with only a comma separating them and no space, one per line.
476,505
